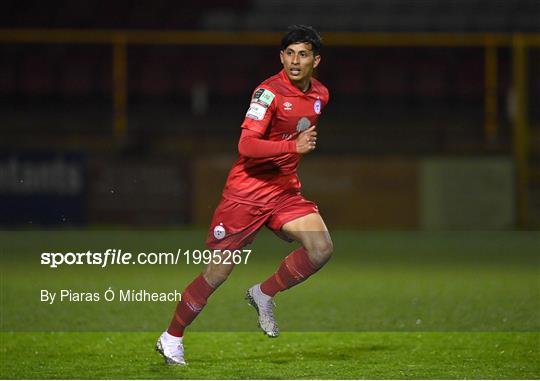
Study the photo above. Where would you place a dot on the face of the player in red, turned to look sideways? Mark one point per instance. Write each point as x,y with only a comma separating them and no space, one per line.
299,61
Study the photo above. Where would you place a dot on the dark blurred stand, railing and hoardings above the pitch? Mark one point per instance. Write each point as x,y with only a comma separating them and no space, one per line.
127,113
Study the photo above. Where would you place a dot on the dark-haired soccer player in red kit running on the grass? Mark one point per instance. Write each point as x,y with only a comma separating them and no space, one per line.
263,189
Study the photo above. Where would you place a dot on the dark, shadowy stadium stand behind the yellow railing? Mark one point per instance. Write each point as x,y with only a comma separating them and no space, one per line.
406,100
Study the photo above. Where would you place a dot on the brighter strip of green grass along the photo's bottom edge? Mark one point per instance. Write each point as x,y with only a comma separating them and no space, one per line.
344,355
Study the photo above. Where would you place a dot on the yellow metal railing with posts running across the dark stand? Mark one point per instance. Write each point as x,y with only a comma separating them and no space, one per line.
490,42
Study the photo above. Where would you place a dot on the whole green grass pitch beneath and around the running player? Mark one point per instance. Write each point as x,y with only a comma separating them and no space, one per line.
388,305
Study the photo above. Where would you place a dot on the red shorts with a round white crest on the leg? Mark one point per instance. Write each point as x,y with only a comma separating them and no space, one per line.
235,224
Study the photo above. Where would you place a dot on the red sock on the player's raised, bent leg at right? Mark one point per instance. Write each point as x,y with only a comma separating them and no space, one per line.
295,268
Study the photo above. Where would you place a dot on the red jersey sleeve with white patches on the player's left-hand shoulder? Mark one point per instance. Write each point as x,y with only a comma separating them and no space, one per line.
261,110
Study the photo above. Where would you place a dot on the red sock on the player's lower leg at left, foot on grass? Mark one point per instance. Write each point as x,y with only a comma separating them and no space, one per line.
193,301
